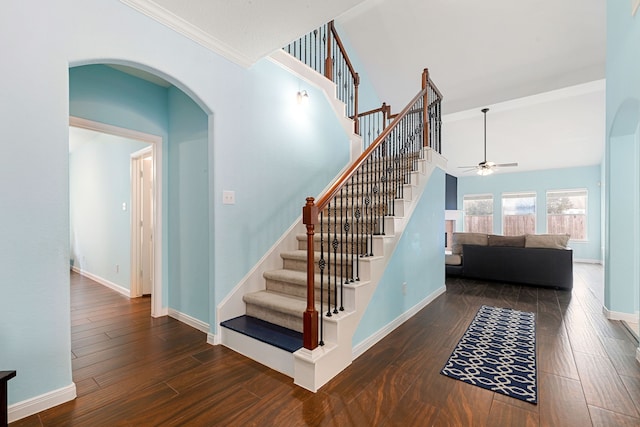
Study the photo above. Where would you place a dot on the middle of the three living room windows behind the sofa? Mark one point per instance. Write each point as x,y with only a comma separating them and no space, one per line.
518,213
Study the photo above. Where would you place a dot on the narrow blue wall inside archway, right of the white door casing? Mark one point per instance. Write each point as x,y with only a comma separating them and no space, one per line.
188,207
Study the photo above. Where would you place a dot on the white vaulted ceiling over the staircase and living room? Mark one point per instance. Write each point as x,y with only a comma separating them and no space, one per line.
538,65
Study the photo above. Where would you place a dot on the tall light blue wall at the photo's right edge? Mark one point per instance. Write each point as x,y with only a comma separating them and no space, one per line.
622,165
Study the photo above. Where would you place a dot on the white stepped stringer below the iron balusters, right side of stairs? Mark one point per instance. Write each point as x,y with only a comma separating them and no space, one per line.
314,368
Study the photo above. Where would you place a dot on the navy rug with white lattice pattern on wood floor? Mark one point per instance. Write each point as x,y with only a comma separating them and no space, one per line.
498,352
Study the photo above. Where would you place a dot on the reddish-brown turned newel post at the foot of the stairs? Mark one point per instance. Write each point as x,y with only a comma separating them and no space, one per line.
310,316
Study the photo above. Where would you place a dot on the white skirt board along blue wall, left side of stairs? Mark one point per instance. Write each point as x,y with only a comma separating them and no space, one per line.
233,305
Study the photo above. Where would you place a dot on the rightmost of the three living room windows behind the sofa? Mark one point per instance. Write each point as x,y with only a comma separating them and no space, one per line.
567,213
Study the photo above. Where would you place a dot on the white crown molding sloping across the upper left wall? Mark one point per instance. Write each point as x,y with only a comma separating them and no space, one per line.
178,24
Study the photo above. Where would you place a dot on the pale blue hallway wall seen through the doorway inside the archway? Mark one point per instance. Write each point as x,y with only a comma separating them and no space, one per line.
99,184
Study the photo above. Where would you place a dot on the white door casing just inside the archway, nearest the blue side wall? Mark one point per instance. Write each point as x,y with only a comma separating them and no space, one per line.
157,309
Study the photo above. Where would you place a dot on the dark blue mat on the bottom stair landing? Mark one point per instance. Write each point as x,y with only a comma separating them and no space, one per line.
276,335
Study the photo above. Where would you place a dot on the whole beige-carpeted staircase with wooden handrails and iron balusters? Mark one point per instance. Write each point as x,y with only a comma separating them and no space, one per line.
298,309
